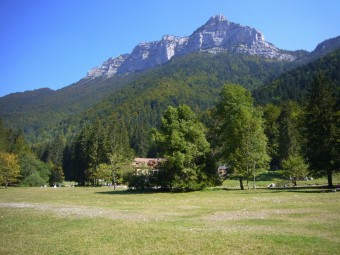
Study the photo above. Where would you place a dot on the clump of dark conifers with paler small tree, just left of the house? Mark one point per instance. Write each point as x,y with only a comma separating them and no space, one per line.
101,151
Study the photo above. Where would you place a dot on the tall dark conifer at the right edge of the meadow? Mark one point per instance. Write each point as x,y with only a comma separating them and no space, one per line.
322,143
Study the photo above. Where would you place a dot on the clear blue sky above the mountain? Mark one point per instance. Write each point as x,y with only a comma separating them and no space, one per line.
53,43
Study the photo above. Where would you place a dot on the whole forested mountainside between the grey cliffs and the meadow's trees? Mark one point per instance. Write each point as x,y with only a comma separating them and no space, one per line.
140,98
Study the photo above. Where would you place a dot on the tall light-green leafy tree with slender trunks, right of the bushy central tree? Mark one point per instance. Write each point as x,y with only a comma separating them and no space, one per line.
242,139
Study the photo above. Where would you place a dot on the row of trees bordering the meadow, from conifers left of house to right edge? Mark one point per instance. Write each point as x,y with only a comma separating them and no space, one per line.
302,139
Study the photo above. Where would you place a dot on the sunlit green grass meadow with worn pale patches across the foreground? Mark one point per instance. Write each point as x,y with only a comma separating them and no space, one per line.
215,221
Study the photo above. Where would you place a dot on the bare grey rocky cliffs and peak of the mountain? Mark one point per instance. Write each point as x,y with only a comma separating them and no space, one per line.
216,35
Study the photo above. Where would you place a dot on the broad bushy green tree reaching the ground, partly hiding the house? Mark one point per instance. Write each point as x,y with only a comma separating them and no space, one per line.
182,140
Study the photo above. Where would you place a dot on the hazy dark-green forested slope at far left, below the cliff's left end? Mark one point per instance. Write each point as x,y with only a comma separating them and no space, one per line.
33,110
